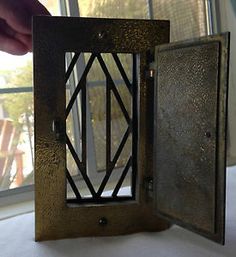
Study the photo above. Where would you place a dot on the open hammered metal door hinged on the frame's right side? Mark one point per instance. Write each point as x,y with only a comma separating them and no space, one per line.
190,134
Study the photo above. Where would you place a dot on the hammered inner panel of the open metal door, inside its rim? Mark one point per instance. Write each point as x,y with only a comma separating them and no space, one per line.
187,99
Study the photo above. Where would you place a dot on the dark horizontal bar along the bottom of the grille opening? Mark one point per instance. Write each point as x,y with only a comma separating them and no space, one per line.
100,200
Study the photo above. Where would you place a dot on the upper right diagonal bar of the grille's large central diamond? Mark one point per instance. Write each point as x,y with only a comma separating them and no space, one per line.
114,89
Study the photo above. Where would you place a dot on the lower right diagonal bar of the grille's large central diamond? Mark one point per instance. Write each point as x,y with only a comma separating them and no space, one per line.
113,163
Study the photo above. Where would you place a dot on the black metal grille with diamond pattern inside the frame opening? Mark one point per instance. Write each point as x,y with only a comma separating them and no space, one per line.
96,193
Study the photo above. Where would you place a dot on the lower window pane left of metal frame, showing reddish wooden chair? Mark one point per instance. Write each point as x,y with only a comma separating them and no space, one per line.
16,140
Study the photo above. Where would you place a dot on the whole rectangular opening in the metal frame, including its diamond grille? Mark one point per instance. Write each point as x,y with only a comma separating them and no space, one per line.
101,126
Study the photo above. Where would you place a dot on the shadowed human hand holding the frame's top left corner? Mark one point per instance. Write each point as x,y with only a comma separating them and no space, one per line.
15,24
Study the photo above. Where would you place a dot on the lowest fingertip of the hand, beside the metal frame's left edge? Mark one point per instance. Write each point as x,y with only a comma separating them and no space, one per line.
12,46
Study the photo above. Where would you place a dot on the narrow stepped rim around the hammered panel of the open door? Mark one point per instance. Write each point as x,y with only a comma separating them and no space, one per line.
223,39
